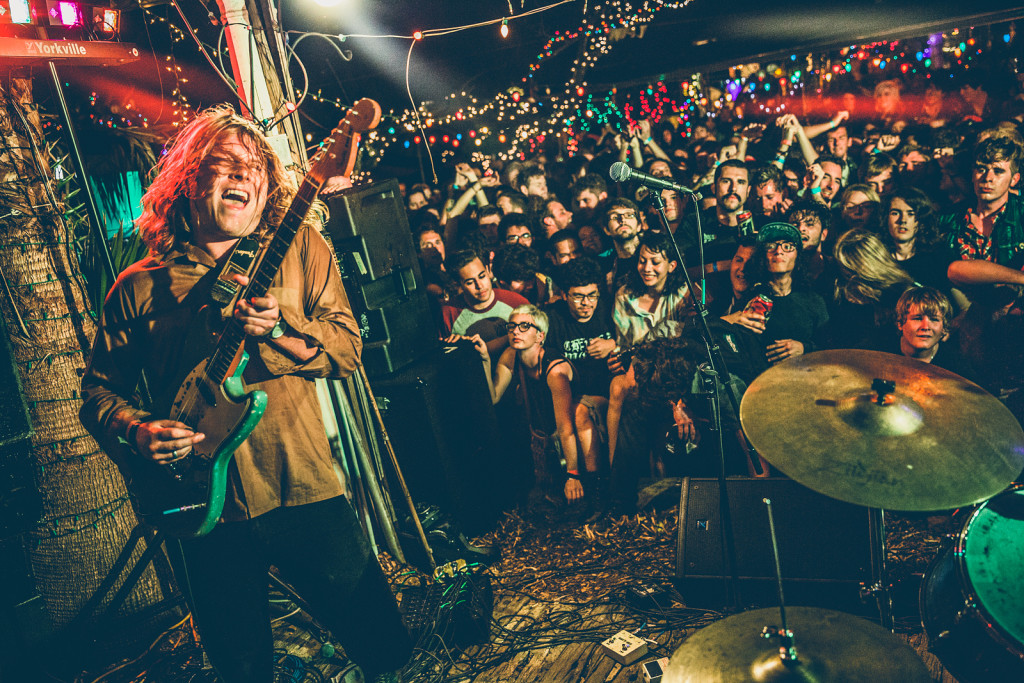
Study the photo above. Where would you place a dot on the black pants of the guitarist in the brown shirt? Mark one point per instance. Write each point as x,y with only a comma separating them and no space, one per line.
320,549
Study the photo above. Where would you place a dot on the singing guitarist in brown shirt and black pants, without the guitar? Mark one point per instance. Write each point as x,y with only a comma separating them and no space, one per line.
284,506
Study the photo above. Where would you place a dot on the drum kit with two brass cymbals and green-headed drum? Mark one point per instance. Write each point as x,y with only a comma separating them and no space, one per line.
890,434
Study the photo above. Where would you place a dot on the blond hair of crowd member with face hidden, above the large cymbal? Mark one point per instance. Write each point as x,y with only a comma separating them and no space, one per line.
867,268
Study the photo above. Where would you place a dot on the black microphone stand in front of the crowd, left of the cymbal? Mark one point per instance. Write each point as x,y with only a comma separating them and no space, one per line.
721,371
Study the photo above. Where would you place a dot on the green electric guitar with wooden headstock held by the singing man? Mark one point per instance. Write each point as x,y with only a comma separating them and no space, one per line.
187,498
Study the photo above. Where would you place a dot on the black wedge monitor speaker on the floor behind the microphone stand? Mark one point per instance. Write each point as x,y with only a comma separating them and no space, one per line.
824,544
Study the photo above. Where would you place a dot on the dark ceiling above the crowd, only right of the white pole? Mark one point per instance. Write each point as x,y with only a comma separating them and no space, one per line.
677,42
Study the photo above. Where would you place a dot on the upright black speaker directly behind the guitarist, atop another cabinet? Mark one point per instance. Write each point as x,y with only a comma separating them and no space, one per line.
381,273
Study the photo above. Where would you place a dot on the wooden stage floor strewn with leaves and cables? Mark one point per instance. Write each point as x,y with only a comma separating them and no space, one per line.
561,588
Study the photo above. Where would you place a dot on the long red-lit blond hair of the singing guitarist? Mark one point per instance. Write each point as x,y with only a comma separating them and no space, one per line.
178,170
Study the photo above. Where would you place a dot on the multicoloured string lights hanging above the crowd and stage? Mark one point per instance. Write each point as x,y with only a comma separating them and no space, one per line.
519,119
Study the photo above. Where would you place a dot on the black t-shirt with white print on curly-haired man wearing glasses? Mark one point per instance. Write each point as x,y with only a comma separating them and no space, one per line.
568,338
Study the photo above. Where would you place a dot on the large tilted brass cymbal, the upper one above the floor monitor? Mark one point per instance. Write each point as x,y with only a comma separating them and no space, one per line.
936,442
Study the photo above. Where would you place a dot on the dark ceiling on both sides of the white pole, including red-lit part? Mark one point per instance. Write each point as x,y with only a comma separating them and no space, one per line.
676,44
